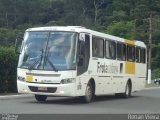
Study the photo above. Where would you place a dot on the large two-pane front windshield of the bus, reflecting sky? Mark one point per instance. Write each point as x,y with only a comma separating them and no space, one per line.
49,51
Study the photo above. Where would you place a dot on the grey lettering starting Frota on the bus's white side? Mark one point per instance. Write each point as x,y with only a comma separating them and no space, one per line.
103,68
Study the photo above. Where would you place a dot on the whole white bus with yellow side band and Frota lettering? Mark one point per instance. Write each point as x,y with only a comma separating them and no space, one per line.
75,61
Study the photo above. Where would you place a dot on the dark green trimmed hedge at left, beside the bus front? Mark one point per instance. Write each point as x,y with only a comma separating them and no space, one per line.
8,64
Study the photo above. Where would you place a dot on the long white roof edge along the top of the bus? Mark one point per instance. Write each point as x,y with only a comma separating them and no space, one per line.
85,30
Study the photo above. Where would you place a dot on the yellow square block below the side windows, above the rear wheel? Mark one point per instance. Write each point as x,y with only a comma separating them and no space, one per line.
129,67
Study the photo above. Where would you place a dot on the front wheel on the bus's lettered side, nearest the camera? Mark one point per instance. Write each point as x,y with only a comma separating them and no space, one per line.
89,93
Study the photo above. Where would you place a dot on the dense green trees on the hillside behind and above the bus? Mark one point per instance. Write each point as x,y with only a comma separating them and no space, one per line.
123,18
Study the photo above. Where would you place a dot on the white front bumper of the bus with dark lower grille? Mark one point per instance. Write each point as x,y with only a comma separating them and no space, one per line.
47,89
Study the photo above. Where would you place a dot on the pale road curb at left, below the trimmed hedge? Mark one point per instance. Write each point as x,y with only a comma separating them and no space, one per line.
4,97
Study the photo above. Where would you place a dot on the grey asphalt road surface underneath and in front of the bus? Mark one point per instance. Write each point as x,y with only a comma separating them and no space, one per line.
142,102
